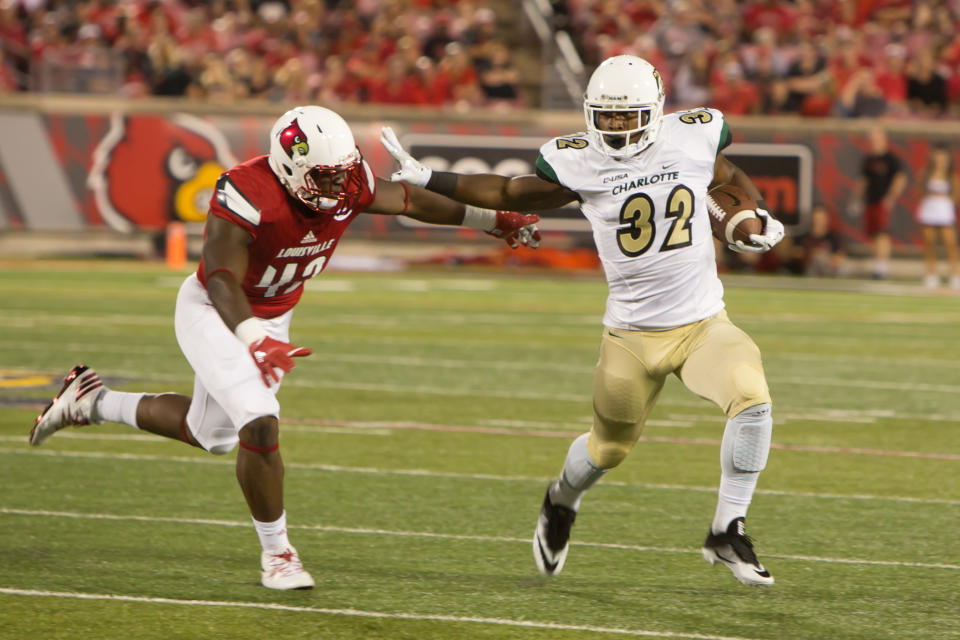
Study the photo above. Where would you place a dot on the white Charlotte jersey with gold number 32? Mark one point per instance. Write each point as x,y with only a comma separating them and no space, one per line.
649,219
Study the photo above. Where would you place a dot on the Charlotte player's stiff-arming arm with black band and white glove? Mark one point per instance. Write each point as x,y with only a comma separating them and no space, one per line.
522,193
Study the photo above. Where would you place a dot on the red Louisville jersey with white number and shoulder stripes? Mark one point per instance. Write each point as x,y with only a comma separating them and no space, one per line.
290,244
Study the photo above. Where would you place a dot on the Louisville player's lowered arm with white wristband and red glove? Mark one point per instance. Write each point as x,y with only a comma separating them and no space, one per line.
225,259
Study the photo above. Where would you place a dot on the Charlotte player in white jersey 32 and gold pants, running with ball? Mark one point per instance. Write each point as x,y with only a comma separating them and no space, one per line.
641,178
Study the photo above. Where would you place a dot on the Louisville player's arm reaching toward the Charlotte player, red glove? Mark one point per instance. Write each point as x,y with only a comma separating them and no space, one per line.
398,198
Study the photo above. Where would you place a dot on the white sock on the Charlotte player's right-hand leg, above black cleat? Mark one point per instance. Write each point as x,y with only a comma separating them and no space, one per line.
737,487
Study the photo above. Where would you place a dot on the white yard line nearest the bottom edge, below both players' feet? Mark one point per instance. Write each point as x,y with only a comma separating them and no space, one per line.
357,613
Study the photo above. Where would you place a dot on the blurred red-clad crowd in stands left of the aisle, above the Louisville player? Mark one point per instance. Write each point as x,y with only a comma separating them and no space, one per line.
426,52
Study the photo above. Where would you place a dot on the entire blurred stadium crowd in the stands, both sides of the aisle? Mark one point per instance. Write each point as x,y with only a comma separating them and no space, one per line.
845,58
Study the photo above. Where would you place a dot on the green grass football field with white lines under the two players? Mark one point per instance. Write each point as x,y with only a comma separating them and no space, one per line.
418,441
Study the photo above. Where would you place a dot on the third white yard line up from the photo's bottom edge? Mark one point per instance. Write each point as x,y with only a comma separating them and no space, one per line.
99,455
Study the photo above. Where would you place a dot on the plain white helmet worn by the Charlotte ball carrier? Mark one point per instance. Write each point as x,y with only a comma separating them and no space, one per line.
628,85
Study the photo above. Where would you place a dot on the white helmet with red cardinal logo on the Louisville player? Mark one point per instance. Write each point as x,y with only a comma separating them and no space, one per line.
312,152
